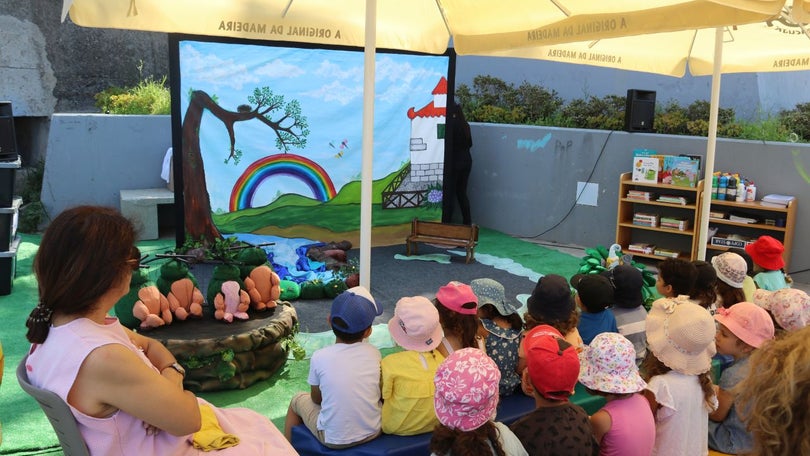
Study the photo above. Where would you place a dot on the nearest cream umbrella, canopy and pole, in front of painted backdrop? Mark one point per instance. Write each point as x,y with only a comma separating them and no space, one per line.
414,25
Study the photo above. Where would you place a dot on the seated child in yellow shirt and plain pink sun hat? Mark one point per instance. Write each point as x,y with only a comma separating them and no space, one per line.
407,376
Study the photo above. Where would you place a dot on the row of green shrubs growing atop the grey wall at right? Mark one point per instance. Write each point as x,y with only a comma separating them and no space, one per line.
492,100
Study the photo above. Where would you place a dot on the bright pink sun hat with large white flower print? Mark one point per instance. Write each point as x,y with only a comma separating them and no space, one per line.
466,389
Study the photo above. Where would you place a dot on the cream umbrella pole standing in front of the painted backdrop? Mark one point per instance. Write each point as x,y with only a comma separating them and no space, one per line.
369,69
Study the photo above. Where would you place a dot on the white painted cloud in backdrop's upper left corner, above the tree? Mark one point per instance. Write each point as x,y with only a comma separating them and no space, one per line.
210,70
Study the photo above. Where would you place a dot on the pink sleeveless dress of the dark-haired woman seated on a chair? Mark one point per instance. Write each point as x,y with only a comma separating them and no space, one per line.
55,364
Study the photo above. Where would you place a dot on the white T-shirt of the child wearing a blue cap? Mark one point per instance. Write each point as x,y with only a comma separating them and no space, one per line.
348,376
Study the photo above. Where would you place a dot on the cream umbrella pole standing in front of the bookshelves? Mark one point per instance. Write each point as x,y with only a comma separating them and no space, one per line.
711,144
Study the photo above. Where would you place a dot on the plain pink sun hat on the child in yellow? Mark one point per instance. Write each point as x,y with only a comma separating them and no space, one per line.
415,324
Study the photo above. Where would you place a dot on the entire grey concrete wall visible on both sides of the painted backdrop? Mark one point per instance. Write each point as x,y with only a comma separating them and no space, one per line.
523,182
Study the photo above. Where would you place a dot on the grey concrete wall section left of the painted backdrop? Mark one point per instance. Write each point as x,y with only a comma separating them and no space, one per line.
92,157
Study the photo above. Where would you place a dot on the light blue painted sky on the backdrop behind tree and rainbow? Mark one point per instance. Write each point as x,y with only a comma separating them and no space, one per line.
329,87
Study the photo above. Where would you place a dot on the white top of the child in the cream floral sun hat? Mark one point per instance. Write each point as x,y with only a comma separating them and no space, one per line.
682,422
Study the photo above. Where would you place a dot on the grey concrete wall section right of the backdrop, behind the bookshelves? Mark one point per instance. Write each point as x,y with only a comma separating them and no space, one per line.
524,179
